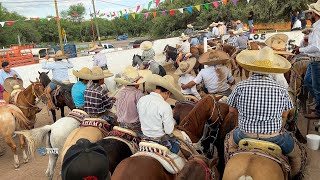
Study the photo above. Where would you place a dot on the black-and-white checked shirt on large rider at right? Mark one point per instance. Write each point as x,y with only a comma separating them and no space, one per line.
260,102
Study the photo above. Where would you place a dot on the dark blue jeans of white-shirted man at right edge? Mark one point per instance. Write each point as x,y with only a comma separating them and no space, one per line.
312,81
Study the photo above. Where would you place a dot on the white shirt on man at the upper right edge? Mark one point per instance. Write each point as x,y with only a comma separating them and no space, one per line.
313,48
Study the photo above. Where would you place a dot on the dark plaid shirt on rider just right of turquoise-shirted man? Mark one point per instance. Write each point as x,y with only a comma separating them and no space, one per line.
96,100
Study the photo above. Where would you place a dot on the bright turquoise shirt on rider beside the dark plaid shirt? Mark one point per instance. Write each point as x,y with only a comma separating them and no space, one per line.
77,93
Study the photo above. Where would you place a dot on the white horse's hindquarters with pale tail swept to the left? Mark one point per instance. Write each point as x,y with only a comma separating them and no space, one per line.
54,135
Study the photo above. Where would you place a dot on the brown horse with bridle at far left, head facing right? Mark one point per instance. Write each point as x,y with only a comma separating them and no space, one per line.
28,99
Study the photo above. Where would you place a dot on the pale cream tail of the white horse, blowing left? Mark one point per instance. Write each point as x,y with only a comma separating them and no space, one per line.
35,137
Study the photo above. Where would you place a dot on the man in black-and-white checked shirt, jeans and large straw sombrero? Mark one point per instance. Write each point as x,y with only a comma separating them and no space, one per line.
263,105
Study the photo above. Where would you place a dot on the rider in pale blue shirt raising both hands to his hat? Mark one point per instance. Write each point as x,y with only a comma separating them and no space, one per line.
59,74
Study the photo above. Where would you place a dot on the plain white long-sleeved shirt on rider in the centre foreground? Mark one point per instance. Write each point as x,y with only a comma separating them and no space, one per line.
155,116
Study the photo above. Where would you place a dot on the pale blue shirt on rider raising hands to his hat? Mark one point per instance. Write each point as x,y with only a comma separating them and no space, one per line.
59,70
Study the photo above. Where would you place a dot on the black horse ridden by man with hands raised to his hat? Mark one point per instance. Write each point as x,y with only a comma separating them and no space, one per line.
63,98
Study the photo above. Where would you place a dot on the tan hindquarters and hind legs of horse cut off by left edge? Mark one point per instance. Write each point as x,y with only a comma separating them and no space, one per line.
11,119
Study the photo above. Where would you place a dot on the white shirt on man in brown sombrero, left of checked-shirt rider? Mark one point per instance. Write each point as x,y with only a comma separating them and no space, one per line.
210,78
